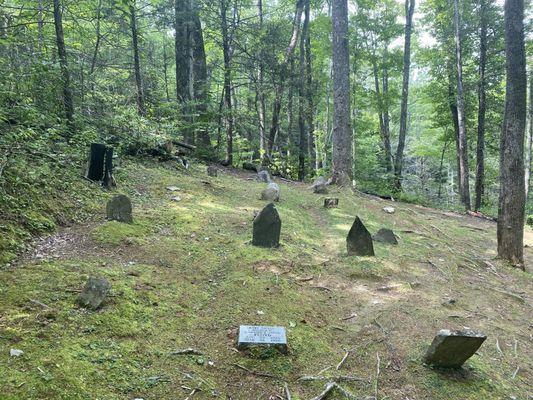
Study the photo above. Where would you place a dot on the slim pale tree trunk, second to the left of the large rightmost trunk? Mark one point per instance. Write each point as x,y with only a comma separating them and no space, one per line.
464,186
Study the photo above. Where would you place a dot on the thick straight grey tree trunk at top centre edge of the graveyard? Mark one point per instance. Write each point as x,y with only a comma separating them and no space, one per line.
342,140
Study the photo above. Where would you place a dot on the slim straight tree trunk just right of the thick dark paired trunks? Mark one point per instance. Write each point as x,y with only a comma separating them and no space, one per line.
227,81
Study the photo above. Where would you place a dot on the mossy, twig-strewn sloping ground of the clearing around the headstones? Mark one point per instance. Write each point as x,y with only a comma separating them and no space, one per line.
184,275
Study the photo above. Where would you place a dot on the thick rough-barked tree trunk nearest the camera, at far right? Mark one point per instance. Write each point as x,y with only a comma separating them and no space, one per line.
512,193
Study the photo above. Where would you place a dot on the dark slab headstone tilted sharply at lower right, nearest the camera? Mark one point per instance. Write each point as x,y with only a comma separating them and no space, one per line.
450,349
